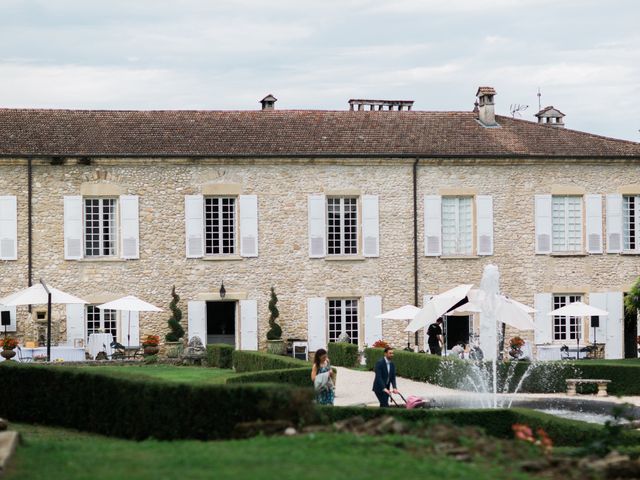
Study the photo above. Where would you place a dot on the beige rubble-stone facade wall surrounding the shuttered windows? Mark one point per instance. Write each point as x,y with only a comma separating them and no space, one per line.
282,187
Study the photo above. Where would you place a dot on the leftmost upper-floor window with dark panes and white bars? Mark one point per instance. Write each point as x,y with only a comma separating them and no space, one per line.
100,227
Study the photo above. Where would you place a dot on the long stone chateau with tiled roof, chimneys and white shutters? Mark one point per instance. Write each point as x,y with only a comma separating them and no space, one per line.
346,213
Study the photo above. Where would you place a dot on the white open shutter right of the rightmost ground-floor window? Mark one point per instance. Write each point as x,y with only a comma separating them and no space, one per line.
612,302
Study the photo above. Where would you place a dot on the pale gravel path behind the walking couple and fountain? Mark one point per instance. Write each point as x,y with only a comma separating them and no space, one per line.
354,388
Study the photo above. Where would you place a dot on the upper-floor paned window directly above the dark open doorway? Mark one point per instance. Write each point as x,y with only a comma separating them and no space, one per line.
220,225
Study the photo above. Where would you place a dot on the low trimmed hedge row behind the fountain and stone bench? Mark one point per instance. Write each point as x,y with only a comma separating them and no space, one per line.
546,377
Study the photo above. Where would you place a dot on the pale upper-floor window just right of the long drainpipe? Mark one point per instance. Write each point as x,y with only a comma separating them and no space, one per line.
457,226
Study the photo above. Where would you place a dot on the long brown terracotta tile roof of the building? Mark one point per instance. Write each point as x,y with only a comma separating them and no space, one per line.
289,132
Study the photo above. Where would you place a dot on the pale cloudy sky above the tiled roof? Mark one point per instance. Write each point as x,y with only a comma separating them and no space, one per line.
584,55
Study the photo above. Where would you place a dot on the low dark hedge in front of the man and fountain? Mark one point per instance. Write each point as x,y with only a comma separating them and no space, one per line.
495,422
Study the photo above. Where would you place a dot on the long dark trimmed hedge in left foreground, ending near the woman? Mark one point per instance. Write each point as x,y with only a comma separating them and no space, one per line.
136,409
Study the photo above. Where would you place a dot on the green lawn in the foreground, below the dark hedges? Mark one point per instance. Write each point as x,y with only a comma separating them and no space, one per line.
50,454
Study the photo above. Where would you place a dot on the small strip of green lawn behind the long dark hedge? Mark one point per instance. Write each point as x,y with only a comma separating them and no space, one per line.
170,373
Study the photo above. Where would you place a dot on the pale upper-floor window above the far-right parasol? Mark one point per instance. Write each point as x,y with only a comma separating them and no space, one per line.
567,223
